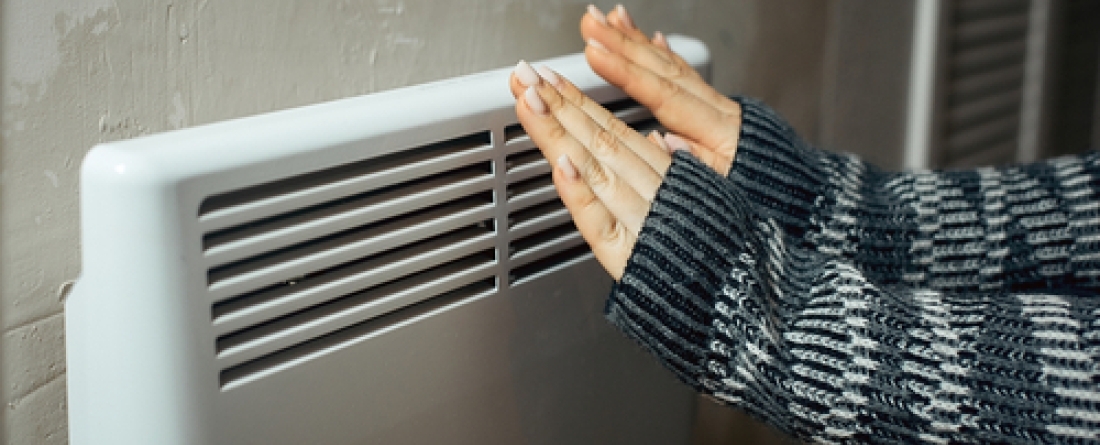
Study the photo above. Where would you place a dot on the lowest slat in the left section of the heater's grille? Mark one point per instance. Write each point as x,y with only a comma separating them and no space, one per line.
239,374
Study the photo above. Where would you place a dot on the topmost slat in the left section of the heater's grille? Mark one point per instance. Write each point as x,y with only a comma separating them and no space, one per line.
265,201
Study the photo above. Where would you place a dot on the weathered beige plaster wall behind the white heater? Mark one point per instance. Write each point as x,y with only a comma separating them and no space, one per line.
76,73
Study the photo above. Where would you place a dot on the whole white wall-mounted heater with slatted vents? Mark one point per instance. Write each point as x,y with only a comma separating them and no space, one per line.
392,269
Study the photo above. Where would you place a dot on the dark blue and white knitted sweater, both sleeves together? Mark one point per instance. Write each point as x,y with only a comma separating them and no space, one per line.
843,304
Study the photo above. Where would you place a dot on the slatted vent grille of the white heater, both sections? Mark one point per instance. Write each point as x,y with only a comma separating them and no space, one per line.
298,263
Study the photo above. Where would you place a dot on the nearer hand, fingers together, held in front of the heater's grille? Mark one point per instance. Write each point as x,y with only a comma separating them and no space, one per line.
606,172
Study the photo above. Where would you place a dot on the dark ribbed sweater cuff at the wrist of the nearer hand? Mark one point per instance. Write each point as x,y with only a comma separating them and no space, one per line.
697,232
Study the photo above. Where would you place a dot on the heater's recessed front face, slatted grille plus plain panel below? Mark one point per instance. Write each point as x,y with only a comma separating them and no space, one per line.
436,294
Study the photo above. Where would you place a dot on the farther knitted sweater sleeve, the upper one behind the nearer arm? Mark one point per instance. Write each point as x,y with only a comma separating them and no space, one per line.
1035,227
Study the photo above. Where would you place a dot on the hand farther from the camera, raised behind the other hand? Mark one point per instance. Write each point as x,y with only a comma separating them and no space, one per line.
655,76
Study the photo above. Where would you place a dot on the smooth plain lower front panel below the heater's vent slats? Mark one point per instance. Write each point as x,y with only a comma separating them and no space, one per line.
538,366
